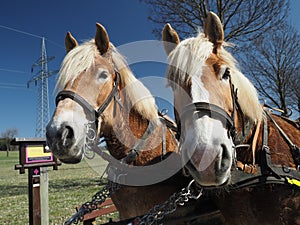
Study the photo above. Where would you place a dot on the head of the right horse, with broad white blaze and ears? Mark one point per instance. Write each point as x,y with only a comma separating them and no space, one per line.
211,96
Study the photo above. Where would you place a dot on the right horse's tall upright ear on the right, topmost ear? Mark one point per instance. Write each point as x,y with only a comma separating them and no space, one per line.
213,30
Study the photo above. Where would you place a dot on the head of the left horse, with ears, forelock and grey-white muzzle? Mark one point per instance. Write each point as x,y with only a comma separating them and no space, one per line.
86,86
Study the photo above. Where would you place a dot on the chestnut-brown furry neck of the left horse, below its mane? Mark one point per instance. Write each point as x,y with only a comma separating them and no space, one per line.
126,130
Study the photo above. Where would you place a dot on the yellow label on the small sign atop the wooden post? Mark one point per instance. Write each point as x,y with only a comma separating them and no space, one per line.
37,153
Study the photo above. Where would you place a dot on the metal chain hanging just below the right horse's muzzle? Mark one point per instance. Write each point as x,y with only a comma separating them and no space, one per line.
158,212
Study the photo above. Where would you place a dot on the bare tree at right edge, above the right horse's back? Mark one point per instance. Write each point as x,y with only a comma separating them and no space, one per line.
273,64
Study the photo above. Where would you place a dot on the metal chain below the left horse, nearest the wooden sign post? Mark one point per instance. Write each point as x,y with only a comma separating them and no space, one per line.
96,201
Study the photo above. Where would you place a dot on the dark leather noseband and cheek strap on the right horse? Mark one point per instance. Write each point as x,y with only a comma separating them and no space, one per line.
216,112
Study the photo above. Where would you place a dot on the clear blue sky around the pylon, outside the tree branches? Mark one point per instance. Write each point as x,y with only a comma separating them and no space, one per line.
22,23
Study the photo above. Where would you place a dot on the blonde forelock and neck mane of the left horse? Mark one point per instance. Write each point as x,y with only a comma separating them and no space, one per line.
82,57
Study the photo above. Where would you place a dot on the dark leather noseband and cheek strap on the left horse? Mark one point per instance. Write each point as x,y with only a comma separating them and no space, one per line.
87,106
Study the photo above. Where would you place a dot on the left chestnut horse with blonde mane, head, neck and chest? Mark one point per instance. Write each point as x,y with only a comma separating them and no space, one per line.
98,93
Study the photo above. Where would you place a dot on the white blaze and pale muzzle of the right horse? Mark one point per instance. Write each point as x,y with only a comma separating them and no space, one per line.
206,143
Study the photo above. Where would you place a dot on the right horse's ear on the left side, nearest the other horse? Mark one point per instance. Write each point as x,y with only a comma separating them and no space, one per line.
170,38
